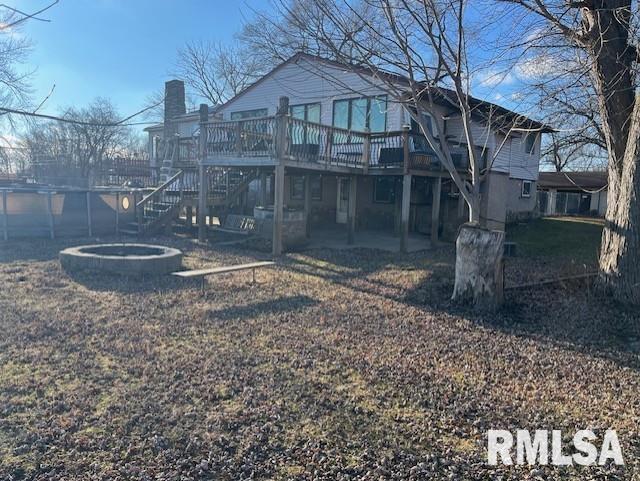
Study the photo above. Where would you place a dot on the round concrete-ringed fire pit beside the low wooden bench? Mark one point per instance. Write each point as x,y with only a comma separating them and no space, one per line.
122,259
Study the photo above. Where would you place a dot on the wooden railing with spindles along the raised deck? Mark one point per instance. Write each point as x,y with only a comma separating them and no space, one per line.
317,143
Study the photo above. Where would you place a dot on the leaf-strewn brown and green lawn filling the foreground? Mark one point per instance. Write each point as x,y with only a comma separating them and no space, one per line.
339,365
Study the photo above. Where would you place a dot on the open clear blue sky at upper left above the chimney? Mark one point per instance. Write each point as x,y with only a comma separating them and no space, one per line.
120,49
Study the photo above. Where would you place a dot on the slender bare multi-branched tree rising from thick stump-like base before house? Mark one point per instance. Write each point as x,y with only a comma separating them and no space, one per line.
417,52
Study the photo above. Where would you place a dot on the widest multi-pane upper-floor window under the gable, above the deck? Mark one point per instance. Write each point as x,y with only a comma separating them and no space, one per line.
361,113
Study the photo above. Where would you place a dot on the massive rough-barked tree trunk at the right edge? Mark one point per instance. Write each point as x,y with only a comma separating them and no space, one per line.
604,31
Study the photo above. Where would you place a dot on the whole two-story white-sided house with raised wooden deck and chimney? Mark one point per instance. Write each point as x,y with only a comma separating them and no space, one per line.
351,156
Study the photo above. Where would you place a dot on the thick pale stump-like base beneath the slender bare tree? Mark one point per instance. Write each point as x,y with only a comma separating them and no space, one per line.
479,267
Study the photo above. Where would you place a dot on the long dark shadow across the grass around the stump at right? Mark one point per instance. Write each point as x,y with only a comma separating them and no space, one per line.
570,316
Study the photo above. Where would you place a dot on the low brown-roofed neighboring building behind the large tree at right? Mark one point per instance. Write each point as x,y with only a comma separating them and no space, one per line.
572,193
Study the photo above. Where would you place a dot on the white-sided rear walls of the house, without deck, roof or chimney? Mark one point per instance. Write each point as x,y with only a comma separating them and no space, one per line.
327,93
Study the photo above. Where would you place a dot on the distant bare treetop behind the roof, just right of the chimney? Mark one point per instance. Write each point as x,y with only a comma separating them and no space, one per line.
216,72
